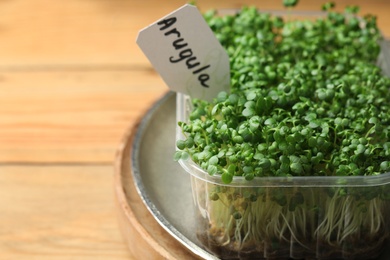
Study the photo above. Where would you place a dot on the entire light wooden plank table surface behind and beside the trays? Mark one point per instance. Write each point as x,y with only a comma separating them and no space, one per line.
72,81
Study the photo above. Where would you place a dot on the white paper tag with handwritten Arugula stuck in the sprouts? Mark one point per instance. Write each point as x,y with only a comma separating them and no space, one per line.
185,52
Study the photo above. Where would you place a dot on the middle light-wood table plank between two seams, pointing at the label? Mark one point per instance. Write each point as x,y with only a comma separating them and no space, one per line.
71,116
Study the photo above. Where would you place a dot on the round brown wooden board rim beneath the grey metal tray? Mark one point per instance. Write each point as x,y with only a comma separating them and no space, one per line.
145,237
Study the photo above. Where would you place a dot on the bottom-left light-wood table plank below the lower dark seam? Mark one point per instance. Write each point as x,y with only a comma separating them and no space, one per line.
57,212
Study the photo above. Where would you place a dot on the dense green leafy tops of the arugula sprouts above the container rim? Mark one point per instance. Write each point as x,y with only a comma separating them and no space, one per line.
298,89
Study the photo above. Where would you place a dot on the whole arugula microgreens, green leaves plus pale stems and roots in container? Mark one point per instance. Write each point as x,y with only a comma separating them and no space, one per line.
306,99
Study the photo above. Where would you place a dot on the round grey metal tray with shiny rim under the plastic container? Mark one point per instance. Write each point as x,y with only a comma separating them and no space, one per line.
162,184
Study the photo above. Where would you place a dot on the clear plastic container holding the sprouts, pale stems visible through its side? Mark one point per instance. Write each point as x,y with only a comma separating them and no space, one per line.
290,217
